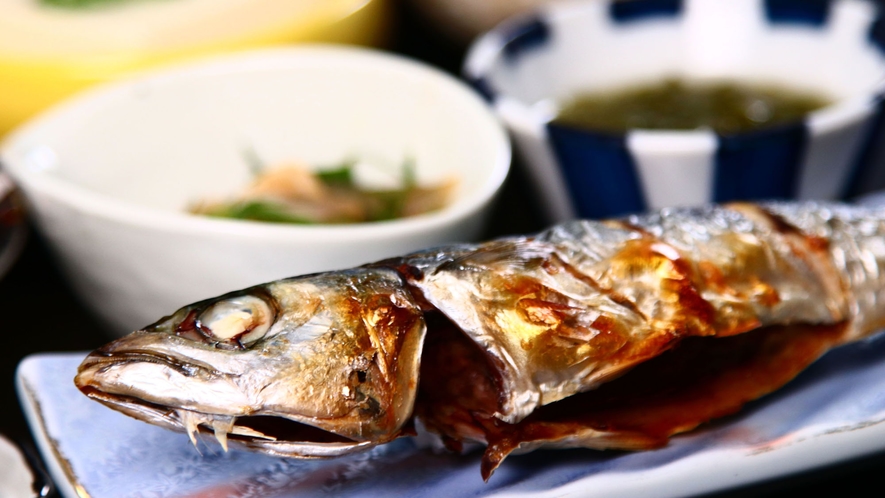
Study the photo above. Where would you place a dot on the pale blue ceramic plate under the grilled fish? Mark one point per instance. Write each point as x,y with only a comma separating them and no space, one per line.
833,411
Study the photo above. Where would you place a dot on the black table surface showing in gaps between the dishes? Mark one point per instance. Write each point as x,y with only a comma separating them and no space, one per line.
41,313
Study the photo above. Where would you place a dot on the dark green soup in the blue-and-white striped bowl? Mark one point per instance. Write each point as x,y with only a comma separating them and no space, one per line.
727,107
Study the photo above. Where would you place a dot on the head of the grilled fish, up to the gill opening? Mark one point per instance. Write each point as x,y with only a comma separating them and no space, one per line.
312,366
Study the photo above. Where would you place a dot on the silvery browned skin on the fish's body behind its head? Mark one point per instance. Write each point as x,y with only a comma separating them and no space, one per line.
584,302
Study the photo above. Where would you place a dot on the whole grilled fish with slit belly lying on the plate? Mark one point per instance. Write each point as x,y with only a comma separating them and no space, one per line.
614,334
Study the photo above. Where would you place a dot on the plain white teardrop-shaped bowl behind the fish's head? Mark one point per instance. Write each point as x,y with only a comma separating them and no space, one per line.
108,175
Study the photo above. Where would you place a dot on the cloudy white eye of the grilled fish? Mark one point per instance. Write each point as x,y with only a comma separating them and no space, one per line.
240,320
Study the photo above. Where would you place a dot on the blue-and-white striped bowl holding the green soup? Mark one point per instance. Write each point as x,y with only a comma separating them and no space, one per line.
529,66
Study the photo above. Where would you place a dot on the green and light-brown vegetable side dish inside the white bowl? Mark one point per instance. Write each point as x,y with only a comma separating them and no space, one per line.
295,194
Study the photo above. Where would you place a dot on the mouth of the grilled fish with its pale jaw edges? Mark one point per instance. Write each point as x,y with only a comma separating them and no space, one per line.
269,433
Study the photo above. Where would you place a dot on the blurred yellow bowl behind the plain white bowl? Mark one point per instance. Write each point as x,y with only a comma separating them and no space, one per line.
50,49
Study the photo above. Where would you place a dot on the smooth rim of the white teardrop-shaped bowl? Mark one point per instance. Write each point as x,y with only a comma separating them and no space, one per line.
104,206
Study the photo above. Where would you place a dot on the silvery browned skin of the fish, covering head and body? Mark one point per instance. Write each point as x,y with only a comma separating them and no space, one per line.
553,315
